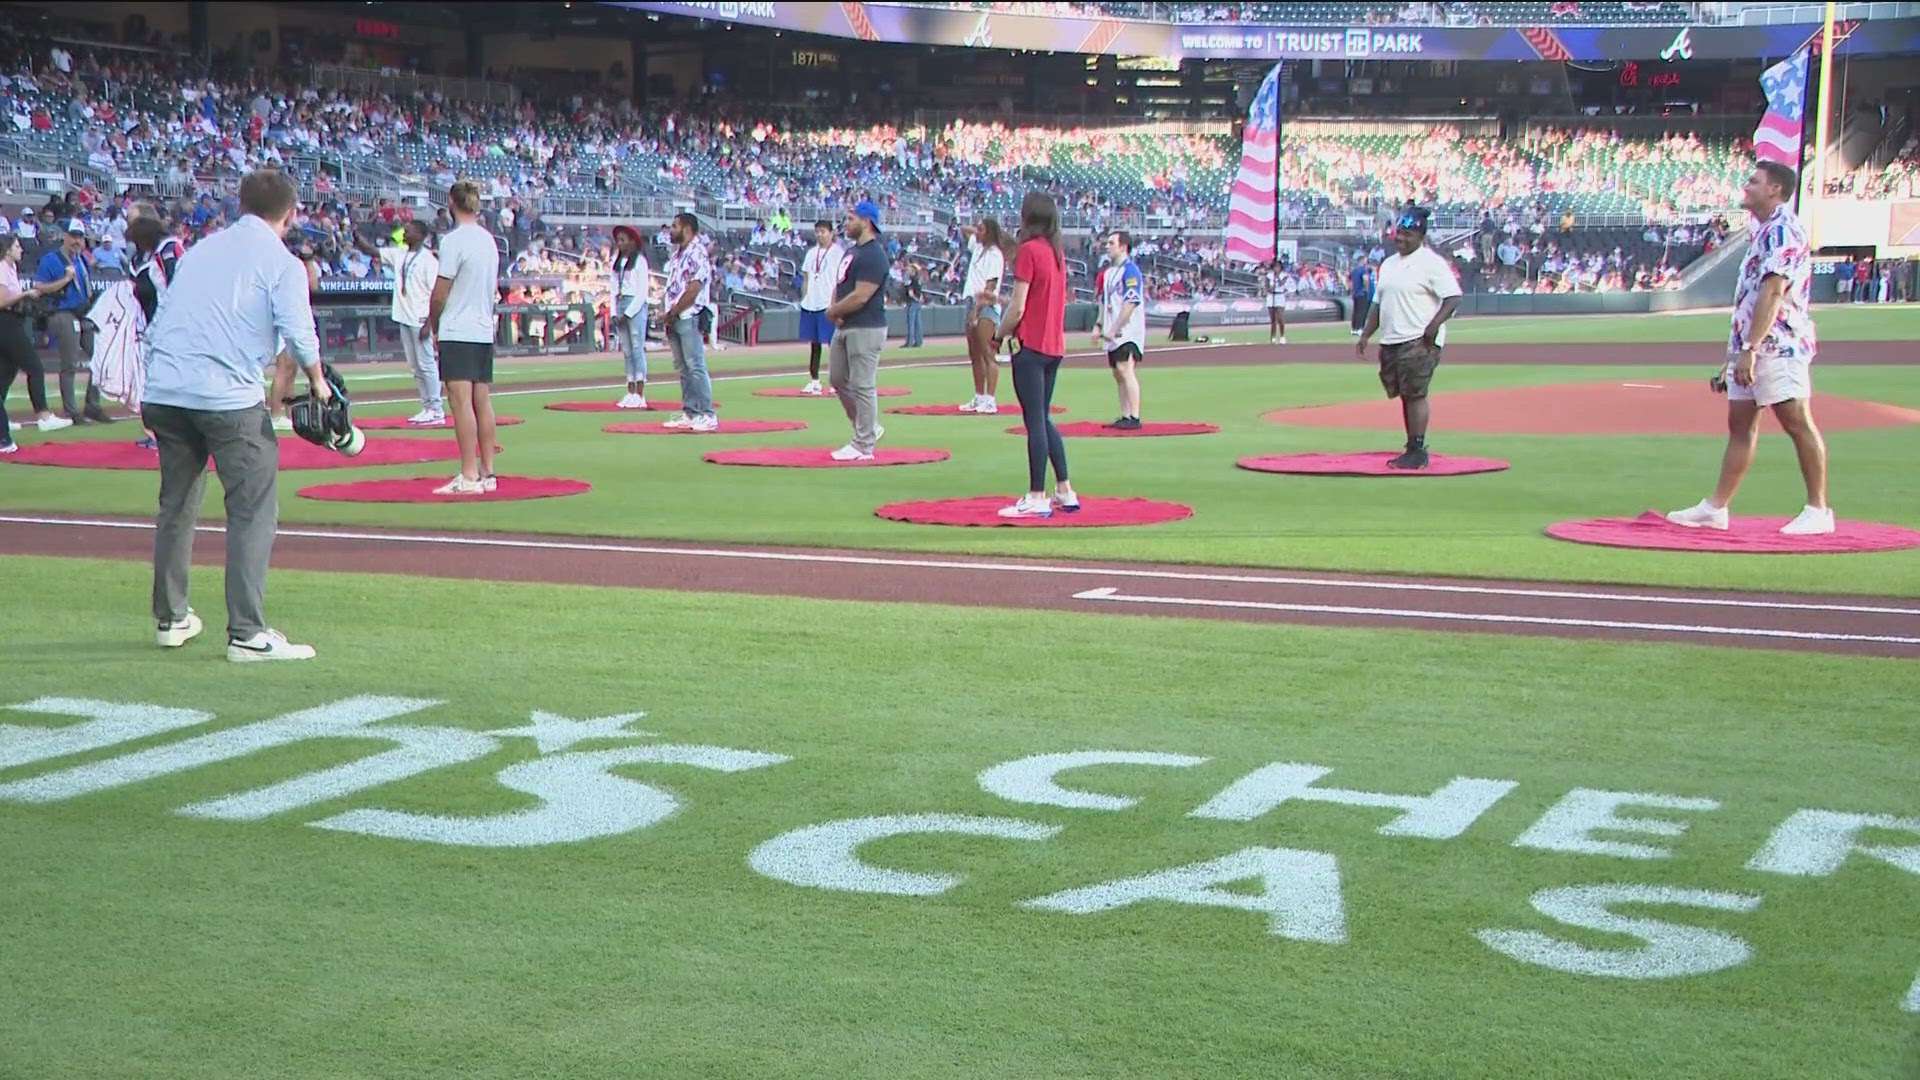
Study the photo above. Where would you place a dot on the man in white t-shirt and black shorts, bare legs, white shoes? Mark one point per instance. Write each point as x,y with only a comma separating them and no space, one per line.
462,324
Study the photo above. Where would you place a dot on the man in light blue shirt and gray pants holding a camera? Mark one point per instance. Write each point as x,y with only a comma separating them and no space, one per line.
208,347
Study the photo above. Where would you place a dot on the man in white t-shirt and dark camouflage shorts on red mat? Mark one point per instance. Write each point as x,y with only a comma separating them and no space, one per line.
1416,297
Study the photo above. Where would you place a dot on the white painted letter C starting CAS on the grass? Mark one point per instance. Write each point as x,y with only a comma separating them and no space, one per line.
827,856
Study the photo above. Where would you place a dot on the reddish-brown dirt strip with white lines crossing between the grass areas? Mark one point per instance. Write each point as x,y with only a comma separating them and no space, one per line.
1819,624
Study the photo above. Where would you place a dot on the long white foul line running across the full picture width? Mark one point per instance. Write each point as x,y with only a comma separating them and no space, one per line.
999,568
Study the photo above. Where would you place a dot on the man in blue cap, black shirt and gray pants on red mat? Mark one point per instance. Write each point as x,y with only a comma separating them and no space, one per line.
861,314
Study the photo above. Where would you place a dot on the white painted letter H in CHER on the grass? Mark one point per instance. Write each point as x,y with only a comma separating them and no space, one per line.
1441,816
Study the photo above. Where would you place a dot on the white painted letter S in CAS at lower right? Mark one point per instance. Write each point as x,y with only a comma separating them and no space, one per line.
1669,950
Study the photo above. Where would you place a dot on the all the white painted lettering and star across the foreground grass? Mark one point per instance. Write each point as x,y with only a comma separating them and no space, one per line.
1297,895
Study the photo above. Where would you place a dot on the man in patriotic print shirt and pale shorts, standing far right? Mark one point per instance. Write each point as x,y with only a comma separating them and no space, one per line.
1769,360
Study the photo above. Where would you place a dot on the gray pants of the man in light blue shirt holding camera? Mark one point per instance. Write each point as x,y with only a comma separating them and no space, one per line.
251,468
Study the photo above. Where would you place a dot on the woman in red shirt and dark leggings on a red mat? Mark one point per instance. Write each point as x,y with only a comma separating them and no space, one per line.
1038,320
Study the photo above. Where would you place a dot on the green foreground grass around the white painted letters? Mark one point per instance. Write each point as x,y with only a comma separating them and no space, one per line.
155,945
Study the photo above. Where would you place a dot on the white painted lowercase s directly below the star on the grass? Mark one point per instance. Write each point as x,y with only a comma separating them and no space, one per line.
581,800
